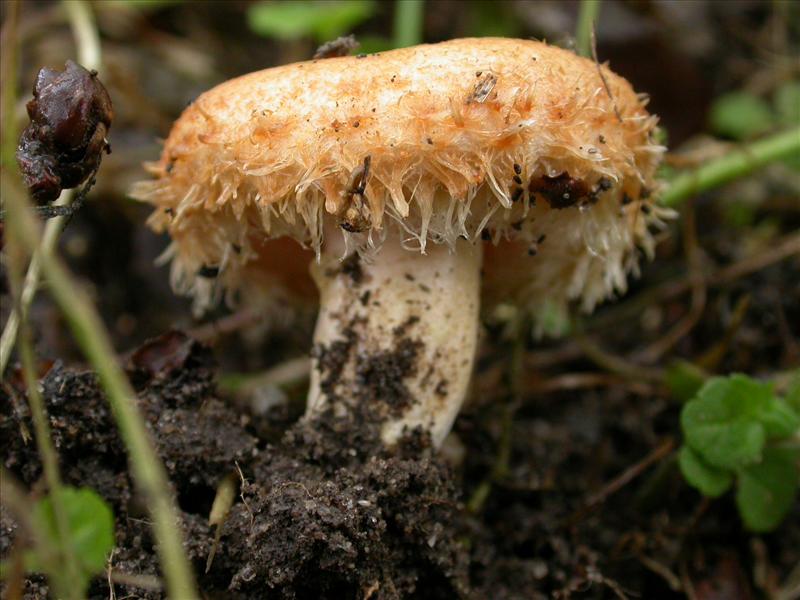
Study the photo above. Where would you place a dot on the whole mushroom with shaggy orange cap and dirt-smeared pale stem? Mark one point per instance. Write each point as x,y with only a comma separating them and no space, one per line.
397,176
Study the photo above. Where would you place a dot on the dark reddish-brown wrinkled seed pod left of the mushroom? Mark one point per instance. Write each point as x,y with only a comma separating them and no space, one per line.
62,146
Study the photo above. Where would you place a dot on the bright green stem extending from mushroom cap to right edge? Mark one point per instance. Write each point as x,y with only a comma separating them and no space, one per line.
737,163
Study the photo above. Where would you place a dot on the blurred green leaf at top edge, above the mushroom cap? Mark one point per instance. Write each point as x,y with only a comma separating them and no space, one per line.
324,21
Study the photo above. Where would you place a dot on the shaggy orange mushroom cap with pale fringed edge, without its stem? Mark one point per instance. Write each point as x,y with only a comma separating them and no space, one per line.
546,154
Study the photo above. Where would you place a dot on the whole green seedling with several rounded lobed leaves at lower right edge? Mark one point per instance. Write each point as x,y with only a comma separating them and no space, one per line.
737,430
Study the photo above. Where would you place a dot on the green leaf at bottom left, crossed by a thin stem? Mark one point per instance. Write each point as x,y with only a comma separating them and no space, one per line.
91,528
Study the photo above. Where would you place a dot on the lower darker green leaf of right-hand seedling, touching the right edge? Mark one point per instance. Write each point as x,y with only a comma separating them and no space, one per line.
767,490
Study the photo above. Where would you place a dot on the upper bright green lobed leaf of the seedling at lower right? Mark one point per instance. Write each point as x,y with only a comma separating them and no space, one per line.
722,422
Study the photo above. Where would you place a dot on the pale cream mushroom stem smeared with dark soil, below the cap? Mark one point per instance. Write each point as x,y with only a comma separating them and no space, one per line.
396,335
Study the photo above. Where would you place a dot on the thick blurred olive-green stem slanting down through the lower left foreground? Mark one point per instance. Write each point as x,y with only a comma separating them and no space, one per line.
93,339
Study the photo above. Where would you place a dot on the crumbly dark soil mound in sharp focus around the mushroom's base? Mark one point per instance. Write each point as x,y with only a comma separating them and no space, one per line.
324,514
